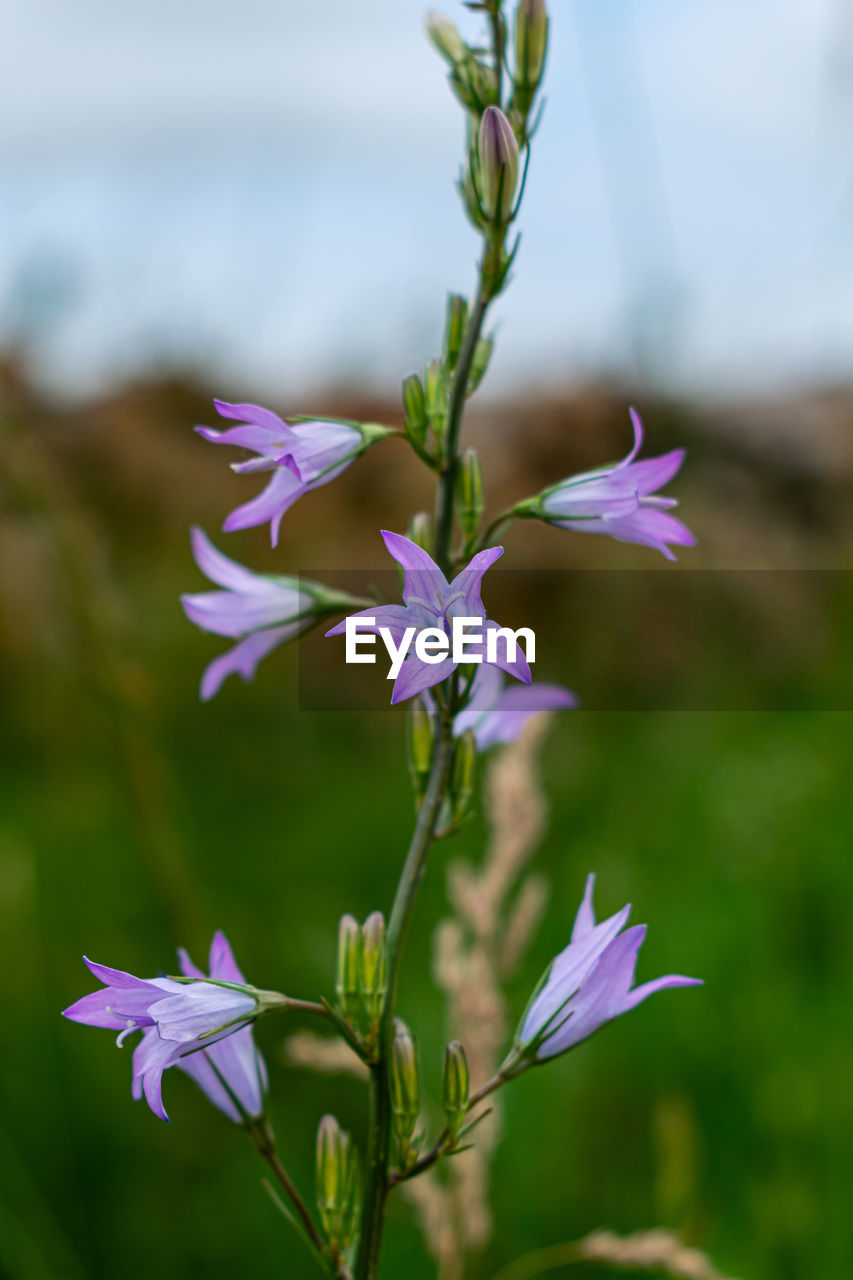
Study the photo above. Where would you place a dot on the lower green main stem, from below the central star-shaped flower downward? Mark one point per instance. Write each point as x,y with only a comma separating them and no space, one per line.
380,1142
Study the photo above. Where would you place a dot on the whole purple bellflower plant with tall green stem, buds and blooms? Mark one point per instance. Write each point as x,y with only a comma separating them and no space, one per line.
203,1023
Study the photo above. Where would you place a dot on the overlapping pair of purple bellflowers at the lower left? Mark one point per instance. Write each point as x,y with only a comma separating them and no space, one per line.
202,1027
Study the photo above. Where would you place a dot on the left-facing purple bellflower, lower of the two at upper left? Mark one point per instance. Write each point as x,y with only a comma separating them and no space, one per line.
263,612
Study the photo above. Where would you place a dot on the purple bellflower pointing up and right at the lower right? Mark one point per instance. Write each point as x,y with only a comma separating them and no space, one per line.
590,984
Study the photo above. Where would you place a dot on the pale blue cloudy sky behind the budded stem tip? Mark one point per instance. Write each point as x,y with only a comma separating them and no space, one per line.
263,189
